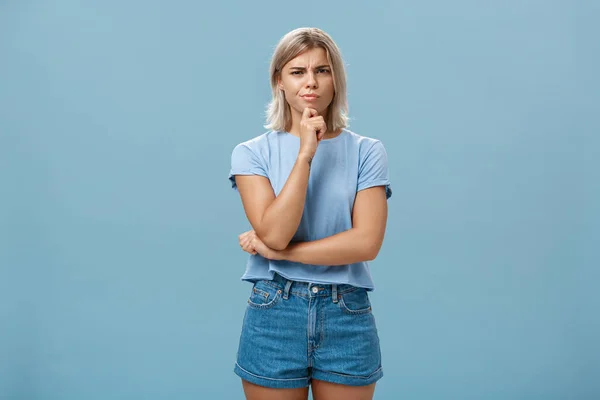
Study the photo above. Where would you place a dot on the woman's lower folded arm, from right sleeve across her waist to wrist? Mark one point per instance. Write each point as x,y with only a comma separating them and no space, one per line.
360,243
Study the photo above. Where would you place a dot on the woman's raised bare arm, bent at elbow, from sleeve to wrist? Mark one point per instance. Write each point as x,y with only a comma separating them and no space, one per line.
275,219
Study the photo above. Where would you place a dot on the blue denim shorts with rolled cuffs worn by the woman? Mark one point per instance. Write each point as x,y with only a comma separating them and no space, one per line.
295,331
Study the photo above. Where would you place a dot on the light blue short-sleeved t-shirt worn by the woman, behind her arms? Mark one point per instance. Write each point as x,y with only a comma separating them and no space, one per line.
341,167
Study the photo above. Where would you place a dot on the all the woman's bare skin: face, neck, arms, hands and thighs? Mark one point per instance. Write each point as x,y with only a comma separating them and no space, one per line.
306,74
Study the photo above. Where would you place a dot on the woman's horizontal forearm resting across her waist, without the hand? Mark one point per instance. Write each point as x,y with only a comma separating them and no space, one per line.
346,247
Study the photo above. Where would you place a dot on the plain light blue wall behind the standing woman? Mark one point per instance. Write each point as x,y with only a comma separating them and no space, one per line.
119,261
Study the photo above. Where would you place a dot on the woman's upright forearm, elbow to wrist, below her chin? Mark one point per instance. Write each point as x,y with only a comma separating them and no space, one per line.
281,219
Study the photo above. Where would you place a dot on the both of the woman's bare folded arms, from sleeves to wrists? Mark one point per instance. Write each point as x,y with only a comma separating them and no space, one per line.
275,220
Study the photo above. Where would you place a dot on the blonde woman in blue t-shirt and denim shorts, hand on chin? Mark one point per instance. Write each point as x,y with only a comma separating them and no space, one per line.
316,196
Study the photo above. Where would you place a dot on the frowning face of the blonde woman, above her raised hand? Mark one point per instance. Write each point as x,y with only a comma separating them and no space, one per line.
307,81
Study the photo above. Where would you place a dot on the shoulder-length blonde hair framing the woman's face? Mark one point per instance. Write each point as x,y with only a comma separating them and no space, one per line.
293,43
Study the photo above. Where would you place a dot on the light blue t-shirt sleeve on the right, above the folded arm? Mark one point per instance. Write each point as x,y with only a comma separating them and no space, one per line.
373,170
